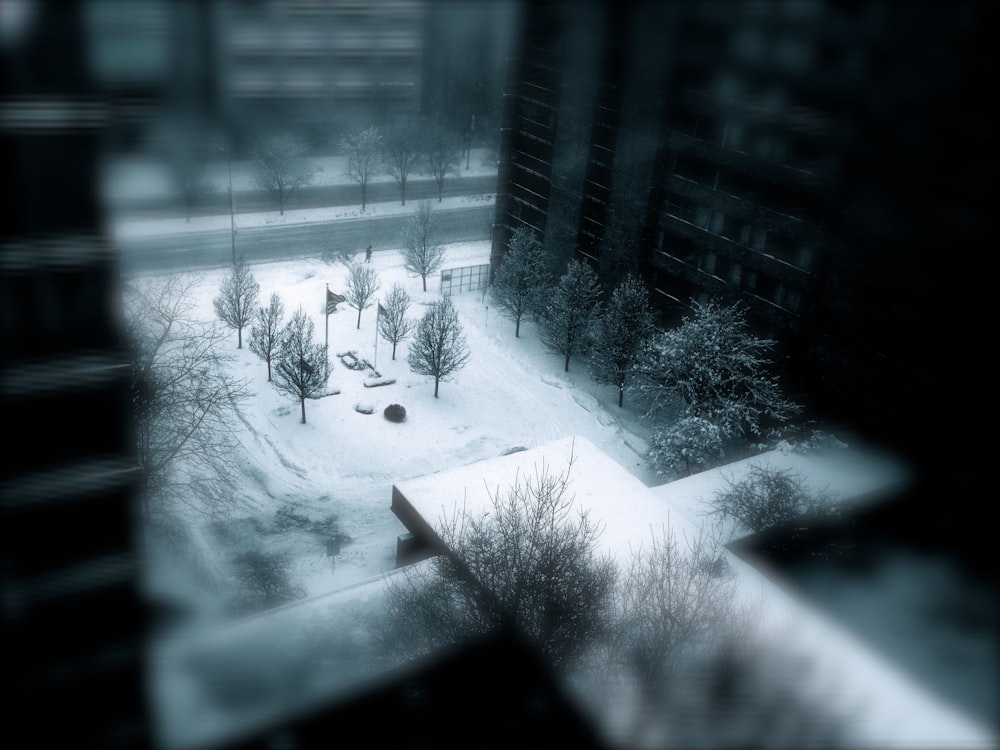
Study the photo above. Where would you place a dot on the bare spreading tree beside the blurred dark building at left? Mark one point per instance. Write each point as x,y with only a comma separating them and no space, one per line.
184,402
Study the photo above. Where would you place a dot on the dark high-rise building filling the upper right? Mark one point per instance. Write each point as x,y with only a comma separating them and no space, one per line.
817,162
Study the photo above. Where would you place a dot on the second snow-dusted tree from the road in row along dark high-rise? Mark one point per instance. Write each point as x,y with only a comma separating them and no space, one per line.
572,310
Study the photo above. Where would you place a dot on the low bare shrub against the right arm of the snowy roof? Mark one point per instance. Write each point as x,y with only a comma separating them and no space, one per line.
770,497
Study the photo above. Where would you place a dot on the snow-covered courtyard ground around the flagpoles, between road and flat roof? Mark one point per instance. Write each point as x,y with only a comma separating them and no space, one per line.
343,463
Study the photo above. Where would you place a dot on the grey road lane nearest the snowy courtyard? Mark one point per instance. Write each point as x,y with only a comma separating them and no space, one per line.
280,242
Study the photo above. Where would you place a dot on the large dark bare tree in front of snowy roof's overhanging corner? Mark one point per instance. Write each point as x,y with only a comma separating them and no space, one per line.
529,563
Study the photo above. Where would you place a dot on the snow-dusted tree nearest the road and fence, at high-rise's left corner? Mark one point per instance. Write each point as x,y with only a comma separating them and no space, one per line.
520,277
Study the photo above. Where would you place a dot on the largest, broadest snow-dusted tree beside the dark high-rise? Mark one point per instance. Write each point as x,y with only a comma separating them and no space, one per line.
712,367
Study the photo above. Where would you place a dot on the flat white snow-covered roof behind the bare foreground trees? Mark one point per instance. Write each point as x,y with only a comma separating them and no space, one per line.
886,708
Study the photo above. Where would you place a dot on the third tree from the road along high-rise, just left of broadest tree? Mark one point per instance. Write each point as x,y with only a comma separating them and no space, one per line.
620,334
